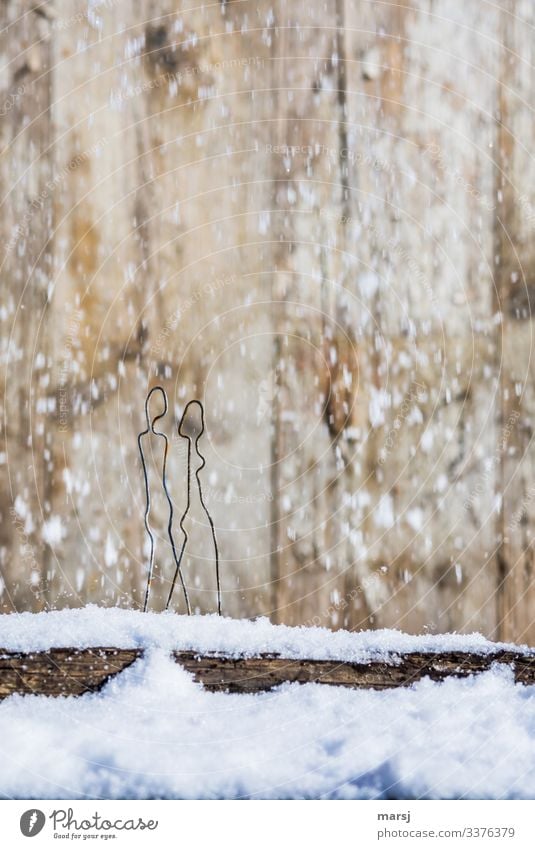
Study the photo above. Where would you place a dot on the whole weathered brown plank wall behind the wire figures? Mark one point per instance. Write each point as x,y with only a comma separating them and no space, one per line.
317,217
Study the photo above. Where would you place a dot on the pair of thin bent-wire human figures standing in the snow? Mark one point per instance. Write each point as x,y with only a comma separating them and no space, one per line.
193,410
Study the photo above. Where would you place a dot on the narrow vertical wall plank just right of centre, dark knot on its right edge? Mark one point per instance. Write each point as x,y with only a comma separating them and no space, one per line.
315,353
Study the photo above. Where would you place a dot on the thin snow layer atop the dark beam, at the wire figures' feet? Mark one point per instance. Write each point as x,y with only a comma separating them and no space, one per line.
97,626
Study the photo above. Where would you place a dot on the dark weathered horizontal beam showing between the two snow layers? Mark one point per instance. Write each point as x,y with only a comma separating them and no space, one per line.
72,672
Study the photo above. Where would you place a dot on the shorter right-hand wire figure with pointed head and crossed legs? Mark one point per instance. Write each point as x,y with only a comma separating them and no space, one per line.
192,422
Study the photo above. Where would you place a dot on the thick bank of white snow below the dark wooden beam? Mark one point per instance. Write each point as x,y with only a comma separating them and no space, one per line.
153,733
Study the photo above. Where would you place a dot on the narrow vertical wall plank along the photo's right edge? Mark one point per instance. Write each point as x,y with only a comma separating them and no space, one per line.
515,302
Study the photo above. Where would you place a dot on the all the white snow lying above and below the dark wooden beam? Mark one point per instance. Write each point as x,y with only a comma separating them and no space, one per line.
152,732
